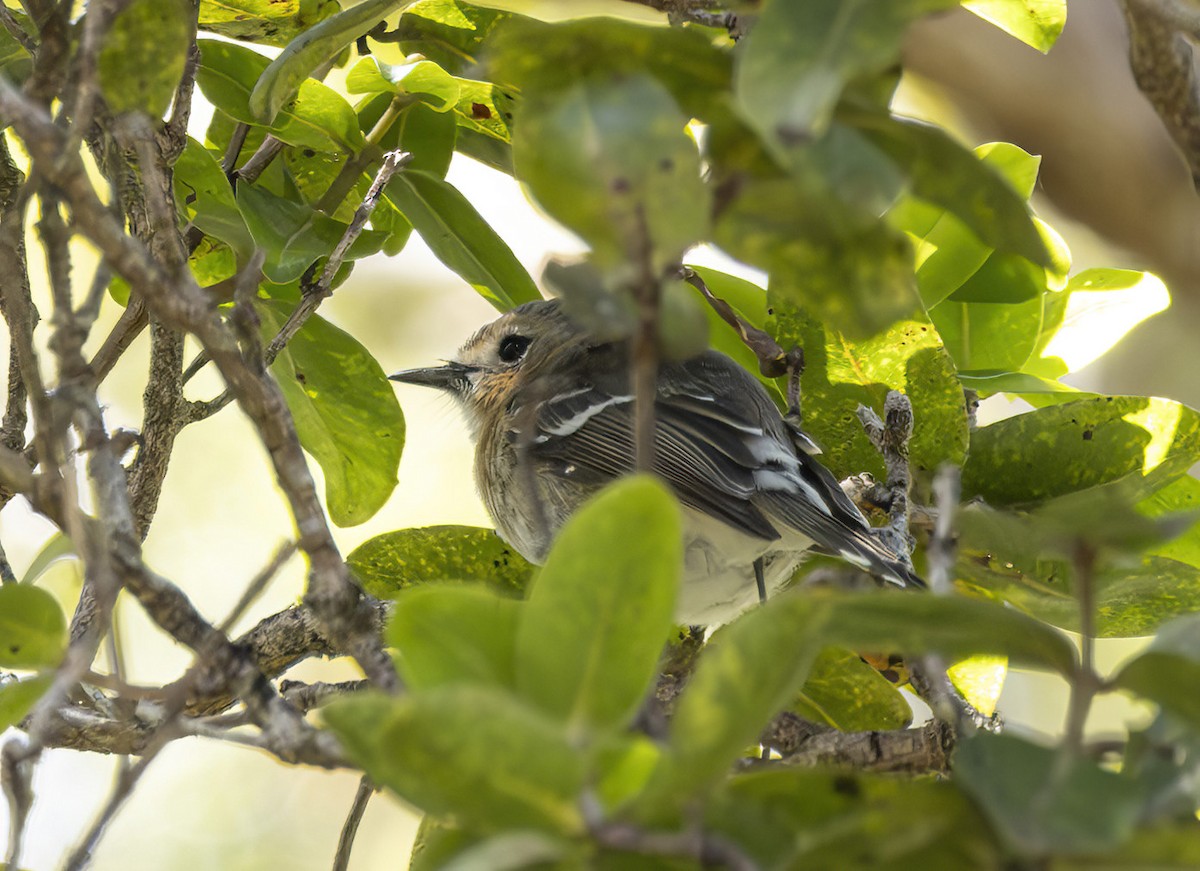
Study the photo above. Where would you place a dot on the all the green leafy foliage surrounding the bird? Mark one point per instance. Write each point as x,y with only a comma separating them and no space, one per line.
898,259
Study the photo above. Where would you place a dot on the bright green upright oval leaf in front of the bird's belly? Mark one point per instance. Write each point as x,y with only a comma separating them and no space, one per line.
603,606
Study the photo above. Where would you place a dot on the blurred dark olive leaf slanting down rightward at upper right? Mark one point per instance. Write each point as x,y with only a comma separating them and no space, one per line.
952,177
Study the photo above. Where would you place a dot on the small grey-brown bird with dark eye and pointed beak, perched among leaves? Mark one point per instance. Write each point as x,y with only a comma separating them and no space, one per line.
538,391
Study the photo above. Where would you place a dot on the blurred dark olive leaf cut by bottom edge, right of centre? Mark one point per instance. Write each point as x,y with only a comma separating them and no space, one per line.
790,819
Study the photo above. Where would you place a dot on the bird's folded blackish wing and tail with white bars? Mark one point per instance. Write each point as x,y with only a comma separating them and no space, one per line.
723,447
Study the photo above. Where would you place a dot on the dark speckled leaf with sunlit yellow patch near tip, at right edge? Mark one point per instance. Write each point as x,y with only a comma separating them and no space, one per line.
1082,444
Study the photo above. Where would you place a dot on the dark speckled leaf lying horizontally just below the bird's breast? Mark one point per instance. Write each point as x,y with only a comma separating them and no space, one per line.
392,563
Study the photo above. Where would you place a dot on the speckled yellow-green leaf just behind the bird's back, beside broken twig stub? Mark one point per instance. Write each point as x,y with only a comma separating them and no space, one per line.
841,374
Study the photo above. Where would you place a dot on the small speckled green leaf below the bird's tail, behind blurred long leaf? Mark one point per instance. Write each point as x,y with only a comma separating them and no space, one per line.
849,695
